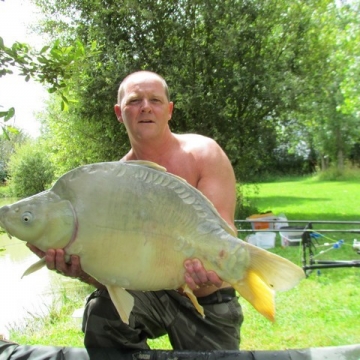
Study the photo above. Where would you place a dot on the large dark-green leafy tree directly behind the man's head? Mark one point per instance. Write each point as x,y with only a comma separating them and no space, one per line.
237,70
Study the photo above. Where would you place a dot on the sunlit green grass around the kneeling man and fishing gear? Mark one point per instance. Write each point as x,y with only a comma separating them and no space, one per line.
323,310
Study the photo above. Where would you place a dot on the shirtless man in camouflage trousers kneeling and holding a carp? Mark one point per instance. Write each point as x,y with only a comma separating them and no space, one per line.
145,110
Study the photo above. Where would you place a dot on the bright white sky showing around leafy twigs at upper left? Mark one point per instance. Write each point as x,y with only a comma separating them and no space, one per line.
26,97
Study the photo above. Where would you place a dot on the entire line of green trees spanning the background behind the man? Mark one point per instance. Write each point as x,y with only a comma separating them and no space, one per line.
276,83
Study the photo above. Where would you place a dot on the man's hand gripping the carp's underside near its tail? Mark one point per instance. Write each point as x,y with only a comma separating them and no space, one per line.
196,276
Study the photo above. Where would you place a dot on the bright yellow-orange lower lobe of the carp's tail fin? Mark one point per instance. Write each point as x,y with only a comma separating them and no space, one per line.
257,293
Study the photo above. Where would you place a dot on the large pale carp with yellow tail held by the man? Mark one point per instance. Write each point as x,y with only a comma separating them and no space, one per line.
133,224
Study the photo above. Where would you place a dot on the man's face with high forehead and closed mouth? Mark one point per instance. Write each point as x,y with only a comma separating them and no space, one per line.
144,108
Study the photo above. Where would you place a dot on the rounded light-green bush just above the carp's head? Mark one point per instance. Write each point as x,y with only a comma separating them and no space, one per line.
30,170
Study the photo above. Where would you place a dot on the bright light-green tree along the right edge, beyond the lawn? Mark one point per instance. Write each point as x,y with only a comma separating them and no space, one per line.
328,116
